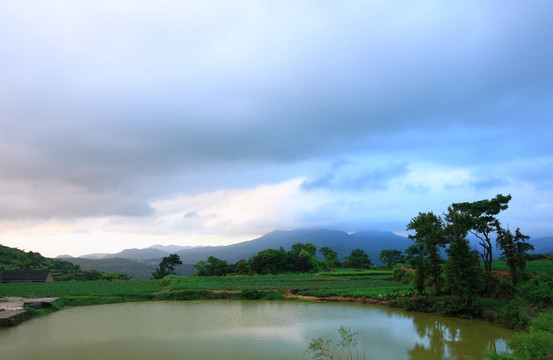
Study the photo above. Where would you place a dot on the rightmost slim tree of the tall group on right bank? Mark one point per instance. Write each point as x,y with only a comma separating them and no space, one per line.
514,249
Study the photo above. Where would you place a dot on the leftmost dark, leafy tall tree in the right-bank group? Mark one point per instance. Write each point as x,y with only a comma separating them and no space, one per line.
429,236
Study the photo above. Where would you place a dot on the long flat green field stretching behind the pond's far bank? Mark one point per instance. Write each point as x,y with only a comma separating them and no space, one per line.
363,284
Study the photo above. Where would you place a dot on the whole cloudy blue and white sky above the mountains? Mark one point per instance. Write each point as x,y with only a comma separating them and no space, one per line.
125,124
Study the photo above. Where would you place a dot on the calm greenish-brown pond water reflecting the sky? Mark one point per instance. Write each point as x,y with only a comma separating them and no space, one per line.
242,330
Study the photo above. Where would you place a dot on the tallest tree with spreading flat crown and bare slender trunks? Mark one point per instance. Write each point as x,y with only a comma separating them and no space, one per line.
483,214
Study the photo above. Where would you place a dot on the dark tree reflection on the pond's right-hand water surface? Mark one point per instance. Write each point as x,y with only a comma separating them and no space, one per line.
453,340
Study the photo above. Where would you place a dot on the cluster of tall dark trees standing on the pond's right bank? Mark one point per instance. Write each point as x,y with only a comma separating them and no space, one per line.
461,274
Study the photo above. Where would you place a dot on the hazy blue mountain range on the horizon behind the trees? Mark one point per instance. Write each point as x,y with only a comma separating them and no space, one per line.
145,260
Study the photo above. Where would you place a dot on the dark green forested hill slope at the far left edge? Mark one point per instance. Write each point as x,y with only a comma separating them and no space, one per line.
15,259
